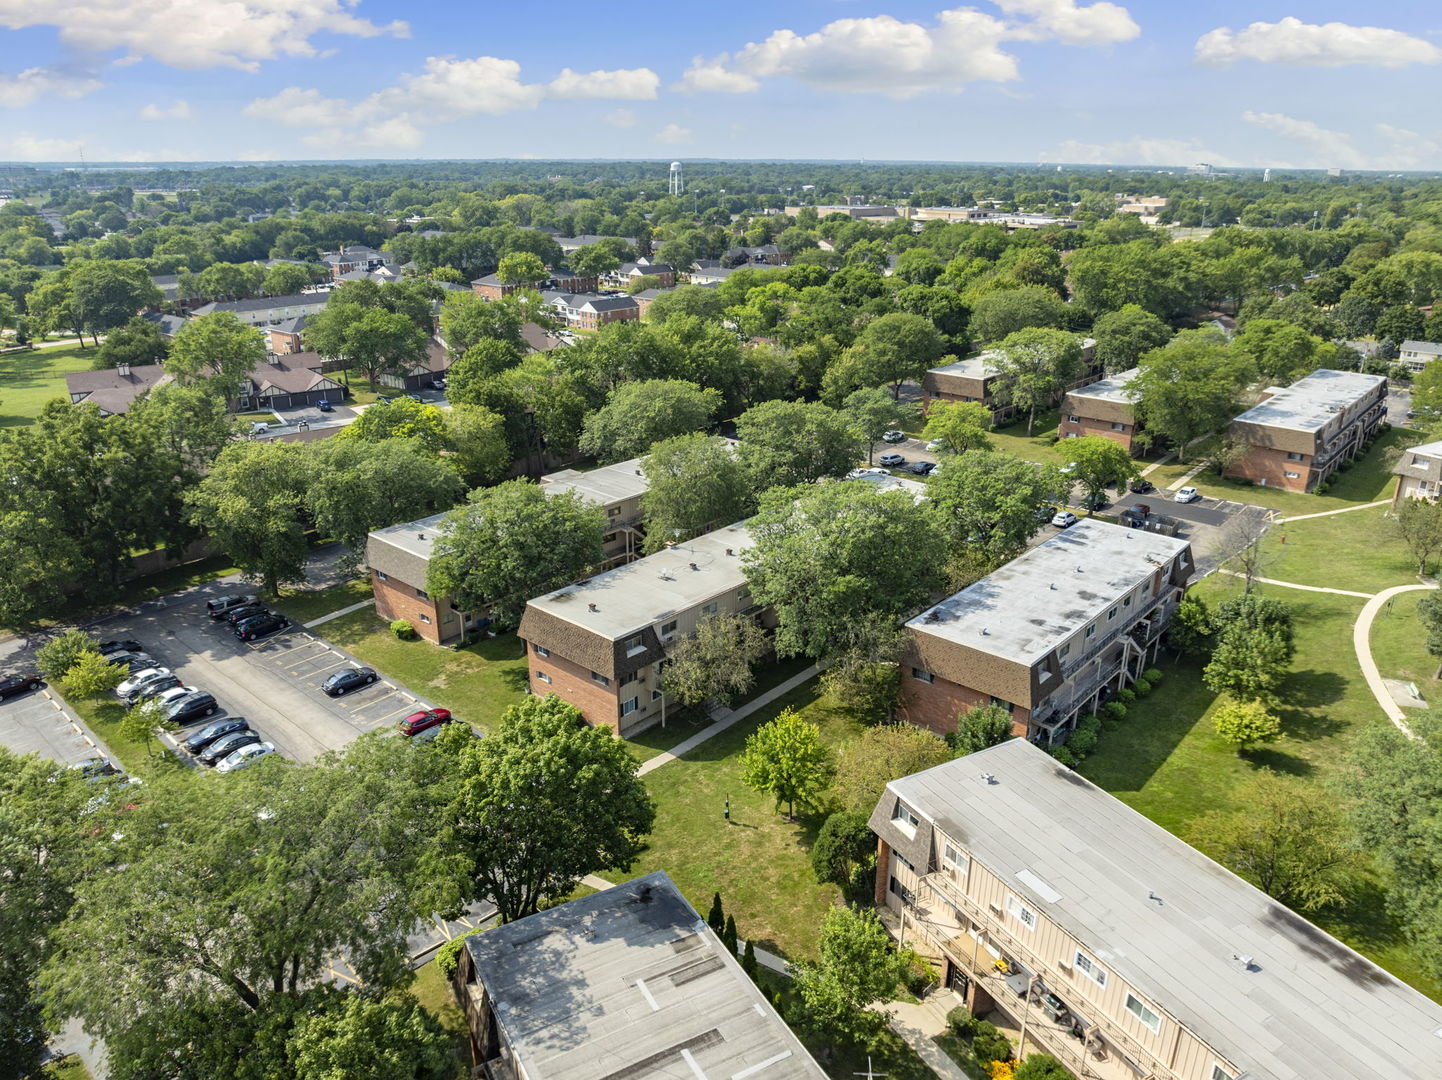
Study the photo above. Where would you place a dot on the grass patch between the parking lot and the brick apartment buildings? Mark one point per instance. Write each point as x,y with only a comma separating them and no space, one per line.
477,683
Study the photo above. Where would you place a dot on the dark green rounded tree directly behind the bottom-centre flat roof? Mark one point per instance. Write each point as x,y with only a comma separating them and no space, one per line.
540,804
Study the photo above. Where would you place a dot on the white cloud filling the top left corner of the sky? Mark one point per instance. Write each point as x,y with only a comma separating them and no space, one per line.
197,34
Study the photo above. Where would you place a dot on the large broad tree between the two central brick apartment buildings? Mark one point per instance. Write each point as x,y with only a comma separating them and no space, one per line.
826,560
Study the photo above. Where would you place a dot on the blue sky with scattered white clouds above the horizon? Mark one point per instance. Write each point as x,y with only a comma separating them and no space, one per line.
1141,83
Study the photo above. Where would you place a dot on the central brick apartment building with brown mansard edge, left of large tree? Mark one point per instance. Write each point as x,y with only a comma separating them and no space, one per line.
601,642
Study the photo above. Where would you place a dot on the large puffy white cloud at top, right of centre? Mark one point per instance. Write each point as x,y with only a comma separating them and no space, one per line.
888,56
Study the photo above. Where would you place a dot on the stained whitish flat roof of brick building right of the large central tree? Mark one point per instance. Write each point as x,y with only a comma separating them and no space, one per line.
1040,599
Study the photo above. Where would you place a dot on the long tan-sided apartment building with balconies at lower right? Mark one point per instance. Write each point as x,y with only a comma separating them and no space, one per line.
1117,948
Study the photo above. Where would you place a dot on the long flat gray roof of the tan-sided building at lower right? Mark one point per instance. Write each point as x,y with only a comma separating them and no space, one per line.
1307,1009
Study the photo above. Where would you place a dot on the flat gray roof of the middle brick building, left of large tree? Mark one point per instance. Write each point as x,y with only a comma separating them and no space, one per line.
645,592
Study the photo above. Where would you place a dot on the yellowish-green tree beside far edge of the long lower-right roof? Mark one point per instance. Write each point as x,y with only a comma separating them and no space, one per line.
1290,838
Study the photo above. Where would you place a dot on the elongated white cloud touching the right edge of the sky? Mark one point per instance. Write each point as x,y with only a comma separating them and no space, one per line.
1330,45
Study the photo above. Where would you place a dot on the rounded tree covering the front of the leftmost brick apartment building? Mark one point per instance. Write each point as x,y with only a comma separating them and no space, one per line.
513,543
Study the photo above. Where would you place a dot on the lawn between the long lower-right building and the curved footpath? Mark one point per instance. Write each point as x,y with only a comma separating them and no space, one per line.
1166,761
